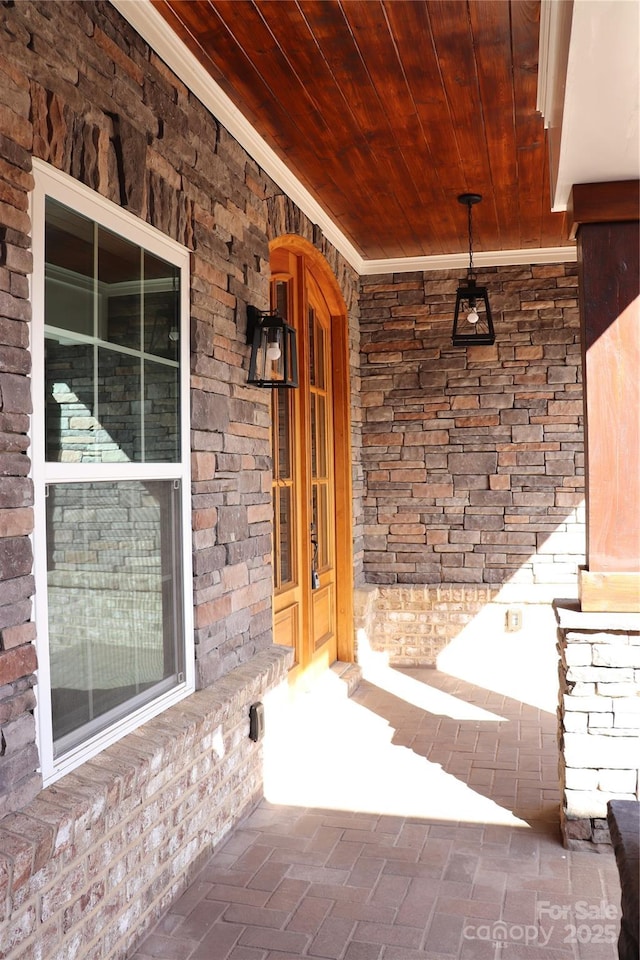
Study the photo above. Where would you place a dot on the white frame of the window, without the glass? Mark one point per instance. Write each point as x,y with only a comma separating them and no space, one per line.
50,182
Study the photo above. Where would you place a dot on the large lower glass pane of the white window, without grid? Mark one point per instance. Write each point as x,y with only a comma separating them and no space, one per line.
114,594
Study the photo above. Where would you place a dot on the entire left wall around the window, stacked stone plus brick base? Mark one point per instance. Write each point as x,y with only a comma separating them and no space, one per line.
102,107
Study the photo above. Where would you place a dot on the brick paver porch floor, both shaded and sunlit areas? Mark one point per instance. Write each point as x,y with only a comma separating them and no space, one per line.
416,820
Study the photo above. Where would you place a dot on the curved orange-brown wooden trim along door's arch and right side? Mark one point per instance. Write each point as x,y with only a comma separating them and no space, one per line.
320,270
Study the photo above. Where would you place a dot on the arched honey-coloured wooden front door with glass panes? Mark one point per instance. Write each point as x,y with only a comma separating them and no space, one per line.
313,569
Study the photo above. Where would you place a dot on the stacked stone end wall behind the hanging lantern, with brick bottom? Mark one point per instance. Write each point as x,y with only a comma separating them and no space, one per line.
472,458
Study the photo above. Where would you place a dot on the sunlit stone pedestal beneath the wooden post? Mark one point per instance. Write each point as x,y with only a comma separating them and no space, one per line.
598,718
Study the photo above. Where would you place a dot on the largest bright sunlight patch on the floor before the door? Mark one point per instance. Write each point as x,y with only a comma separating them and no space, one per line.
324,750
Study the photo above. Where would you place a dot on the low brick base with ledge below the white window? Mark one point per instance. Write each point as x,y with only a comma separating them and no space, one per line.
90,865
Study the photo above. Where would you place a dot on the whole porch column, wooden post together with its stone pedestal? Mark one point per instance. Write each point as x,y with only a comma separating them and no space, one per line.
599,638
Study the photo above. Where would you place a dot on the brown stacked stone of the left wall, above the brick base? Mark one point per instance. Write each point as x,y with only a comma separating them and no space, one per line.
106,110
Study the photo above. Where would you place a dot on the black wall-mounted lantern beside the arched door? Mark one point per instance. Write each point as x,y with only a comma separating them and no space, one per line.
274,356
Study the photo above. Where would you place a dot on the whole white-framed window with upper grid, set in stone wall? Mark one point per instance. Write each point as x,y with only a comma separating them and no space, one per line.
110,454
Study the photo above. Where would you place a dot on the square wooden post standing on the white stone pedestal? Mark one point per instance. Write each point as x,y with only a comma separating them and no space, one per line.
607,229
